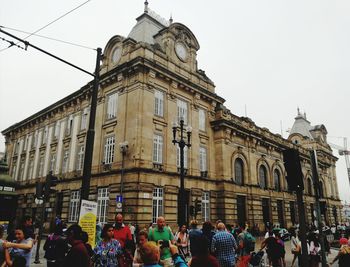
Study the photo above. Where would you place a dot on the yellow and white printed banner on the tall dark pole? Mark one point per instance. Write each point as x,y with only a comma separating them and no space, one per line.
87,219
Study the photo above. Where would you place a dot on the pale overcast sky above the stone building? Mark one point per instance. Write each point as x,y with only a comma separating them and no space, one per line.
268,56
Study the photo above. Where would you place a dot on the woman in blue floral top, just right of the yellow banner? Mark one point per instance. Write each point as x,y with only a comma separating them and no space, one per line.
107,250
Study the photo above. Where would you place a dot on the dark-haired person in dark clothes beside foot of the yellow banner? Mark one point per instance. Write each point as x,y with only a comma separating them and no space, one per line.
78,255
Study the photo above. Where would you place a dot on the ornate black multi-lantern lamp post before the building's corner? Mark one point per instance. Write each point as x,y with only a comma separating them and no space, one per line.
181,207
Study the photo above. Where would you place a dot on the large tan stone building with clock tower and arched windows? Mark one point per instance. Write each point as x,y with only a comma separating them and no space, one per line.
150,79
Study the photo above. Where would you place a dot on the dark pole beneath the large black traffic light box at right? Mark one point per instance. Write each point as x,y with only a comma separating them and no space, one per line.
302,225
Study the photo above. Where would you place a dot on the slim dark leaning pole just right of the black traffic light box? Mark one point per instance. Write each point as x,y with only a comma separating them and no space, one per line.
314,165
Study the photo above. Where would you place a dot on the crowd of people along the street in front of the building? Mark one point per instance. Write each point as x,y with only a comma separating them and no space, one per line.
121,245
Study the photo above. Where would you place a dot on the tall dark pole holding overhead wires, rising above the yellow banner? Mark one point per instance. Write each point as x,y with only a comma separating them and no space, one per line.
90,135
